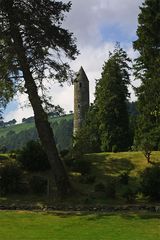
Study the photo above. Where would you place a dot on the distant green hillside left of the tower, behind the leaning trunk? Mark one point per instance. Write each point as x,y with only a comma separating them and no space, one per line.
16,136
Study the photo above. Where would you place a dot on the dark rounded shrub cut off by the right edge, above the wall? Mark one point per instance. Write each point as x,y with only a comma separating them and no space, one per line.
150,182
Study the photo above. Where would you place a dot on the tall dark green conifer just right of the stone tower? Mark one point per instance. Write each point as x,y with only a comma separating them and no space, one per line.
111,102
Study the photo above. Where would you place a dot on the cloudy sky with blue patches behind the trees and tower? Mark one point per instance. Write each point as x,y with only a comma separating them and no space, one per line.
97,25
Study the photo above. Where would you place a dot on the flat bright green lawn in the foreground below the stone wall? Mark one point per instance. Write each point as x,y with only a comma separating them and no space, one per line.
42,226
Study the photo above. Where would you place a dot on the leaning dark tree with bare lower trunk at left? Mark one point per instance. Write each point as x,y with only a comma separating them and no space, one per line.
32,40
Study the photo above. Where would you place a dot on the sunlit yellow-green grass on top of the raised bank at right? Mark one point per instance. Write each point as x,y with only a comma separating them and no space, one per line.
117,163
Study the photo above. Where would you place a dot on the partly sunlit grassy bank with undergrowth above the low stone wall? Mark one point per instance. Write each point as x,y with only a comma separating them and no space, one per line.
113,179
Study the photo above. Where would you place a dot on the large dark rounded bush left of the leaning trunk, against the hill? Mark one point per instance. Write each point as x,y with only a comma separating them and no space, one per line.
33,158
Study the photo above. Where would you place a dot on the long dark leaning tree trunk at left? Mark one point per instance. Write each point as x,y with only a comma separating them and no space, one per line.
41,119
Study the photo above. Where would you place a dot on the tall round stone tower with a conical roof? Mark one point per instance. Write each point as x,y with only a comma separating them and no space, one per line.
81,99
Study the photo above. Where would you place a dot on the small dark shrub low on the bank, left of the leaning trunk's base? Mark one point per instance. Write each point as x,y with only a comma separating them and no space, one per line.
38,185
